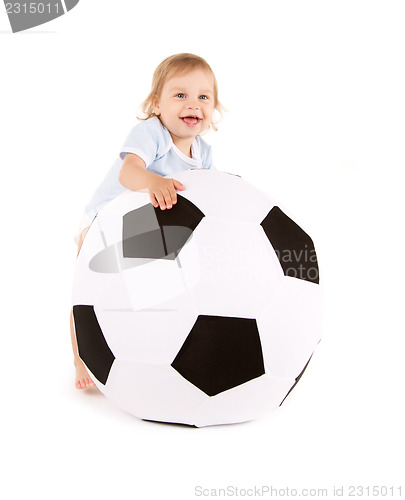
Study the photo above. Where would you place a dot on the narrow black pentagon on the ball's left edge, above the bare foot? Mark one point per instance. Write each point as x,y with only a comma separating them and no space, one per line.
92,346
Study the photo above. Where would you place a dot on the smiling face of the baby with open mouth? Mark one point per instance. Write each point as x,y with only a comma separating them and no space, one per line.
185,106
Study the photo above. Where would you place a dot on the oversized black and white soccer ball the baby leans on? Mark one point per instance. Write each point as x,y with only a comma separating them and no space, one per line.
207,313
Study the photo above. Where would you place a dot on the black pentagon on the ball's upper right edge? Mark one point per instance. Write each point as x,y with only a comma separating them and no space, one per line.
294,248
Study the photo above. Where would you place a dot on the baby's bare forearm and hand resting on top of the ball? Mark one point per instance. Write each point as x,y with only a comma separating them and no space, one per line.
134,176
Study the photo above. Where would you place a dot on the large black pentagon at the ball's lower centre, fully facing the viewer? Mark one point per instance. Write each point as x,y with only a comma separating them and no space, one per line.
220,353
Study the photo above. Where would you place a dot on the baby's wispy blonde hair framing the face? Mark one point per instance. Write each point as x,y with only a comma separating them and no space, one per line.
180,64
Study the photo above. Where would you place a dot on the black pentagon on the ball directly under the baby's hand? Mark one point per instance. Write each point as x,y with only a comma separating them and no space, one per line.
152,233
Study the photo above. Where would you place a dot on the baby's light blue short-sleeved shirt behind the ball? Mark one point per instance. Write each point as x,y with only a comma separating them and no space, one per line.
152,142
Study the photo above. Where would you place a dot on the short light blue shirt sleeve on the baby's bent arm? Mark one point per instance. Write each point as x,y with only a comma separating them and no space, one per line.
148,139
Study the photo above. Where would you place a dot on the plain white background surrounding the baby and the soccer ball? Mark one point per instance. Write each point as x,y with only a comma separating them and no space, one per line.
315,98
